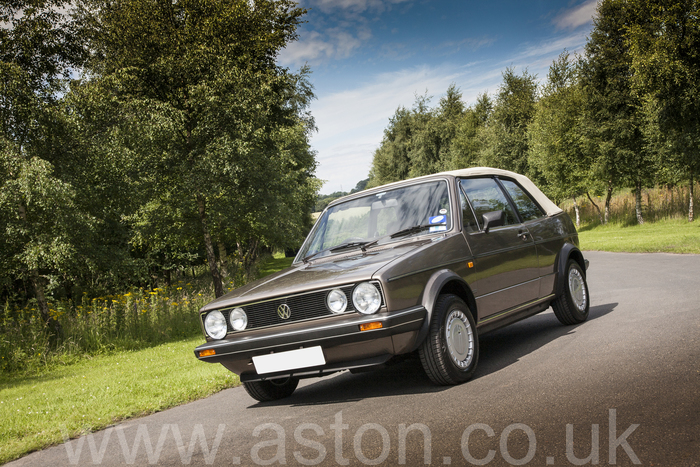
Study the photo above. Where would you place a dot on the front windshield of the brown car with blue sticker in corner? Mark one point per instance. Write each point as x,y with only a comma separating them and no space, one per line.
411,210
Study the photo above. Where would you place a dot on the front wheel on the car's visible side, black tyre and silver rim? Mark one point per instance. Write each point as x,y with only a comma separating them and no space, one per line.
450,352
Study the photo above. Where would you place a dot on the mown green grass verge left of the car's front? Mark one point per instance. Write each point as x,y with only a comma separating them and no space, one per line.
93,393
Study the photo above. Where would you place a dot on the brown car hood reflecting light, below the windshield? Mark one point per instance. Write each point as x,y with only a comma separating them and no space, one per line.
346,268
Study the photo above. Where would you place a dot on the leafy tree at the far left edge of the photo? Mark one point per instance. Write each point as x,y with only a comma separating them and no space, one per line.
40,221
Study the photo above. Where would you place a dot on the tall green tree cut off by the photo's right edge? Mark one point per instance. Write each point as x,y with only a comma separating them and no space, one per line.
664,39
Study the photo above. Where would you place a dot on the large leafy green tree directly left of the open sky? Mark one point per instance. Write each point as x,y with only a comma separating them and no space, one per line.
223,121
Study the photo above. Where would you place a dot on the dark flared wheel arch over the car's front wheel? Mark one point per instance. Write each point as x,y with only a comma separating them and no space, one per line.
442,282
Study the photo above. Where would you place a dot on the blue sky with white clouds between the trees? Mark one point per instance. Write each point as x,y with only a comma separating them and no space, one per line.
368,57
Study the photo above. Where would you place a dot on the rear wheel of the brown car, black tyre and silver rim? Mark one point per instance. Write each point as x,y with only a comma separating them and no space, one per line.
572,306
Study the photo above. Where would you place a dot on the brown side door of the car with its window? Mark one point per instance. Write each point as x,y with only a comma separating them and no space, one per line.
505,258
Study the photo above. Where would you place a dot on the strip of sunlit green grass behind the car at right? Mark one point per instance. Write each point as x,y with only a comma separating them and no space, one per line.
664,236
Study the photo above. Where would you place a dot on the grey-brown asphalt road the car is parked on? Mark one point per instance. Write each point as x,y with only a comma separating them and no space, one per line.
622,388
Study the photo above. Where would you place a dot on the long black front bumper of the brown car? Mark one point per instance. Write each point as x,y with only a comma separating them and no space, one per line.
328,334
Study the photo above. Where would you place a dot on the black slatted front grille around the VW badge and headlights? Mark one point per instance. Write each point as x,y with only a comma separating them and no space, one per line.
310,305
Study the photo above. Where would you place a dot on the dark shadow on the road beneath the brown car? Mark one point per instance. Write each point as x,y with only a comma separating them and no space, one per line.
498,350
